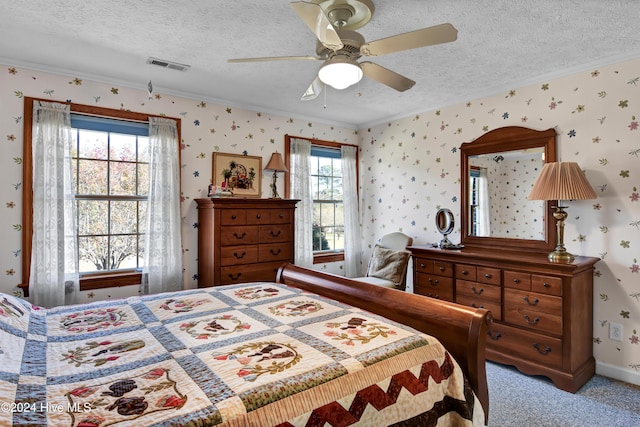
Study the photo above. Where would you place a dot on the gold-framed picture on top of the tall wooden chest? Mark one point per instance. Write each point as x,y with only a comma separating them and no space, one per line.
240,174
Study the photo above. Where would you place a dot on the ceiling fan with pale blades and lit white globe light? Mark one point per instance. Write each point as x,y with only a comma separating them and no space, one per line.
333,22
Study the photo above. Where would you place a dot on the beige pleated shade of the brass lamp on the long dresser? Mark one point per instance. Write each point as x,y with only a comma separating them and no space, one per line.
562,181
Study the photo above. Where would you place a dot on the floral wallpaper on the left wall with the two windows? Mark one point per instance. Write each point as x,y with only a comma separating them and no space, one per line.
206,128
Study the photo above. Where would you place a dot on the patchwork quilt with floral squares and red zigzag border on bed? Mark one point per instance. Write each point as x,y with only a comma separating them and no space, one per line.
255,354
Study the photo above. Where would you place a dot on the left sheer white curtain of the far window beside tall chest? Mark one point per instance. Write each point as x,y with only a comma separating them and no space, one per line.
300,152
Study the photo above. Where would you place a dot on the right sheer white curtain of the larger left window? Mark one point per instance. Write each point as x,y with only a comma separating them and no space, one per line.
163,246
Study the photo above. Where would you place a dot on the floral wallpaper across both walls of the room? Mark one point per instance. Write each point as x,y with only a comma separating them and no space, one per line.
409,168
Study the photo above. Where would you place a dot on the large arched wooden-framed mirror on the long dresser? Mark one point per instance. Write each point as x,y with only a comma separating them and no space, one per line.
498,171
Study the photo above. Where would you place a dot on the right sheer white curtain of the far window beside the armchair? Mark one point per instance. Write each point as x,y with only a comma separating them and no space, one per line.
352,253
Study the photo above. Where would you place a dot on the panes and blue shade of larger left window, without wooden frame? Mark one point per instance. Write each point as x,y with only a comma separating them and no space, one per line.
111,181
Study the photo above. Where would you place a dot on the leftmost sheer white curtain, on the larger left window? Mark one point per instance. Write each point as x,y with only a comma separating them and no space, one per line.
54,278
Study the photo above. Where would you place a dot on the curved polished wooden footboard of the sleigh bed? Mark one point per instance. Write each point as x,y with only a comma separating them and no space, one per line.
462,330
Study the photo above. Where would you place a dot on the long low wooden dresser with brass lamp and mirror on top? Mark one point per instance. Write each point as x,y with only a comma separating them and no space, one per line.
542,311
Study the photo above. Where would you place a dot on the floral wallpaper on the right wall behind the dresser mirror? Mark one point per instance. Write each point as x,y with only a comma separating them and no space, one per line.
410,168
